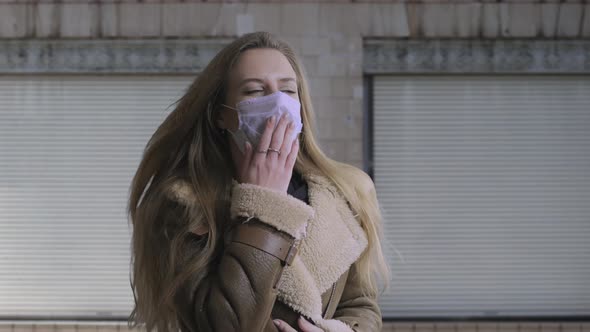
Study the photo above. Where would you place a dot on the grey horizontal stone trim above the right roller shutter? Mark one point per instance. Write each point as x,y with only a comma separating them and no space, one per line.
444,56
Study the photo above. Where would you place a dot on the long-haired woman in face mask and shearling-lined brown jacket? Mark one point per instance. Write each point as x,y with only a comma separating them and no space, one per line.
239,224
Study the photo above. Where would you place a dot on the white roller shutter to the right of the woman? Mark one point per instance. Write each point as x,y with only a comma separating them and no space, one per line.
485,186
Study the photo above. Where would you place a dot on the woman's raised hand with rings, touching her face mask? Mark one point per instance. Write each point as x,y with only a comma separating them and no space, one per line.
271,163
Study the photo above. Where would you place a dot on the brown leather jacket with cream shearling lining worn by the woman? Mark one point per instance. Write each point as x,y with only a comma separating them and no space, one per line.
285,259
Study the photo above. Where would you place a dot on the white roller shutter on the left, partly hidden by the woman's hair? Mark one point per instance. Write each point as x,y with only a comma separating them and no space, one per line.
69,146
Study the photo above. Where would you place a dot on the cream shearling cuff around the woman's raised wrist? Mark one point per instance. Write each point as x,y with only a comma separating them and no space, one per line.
280,210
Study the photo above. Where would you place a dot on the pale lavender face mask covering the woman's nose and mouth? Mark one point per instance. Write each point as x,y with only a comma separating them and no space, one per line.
253,114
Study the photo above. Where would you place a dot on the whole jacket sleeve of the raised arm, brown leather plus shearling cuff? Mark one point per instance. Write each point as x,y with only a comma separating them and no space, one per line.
239,292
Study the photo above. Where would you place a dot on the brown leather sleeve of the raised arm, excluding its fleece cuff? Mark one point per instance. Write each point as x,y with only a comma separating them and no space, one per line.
239,293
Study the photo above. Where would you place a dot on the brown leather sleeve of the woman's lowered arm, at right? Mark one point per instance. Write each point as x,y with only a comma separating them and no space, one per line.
360,312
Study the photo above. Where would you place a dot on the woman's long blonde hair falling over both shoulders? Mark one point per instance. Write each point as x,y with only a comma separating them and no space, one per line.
188,144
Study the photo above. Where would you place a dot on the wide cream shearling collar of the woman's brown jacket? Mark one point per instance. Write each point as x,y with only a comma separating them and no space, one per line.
334,240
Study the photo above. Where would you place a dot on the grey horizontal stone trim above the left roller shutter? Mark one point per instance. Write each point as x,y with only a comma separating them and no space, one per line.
107,56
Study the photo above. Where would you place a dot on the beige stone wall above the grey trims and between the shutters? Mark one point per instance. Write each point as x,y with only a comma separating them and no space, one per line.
328,35
